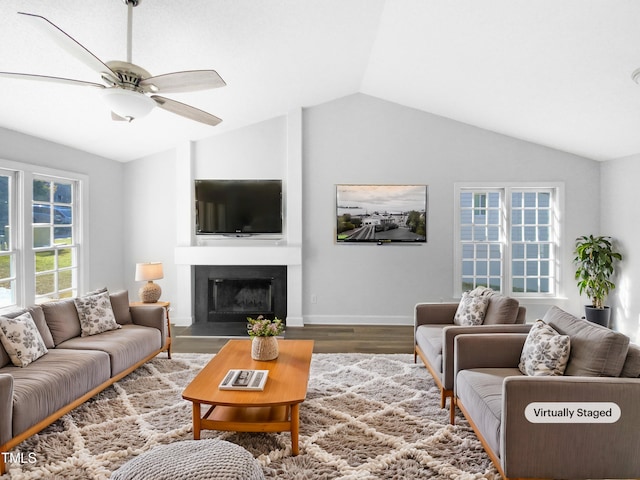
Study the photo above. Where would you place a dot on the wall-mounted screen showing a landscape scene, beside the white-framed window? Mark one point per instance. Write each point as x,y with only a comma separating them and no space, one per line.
381,213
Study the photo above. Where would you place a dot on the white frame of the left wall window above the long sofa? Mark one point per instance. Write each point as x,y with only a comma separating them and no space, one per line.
23,234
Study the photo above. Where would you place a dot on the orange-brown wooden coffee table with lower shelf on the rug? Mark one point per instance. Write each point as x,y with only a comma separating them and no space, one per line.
275,409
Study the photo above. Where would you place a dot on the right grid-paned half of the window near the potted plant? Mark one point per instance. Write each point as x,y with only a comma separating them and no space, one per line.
531,242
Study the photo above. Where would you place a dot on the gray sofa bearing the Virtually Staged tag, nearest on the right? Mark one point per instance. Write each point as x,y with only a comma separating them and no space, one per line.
496,398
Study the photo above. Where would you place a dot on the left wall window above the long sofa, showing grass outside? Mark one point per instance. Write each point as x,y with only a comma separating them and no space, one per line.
41,252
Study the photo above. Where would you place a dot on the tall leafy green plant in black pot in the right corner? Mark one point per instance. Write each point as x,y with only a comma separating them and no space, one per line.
595,259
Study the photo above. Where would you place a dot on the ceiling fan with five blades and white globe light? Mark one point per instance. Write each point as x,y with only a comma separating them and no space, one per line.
128,89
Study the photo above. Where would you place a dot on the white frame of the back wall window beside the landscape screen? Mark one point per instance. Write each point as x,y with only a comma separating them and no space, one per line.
506,189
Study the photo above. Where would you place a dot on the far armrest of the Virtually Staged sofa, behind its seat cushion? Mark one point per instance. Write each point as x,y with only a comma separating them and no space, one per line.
498,350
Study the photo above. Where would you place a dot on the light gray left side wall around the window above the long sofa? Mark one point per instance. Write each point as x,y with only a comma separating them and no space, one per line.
105,199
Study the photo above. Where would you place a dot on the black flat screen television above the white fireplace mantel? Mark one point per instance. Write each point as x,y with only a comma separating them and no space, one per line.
238,207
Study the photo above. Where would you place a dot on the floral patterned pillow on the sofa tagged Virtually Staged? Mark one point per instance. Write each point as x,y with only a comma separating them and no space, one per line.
545,351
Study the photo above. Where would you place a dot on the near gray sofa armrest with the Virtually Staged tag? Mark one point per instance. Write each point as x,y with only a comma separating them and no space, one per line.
570,450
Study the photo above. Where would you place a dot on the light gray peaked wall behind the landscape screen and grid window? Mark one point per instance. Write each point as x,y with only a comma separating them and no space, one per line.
361,139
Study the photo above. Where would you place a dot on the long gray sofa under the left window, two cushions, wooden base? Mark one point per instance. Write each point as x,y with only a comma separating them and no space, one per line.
75,367
